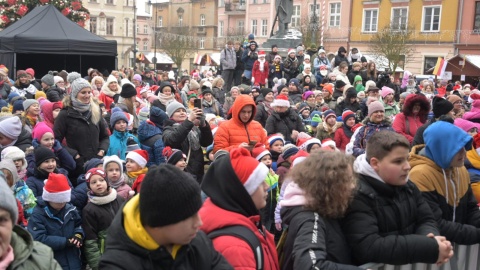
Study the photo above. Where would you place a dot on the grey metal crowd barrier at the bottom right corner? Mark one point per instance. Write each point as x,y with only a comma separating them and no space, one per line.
464,258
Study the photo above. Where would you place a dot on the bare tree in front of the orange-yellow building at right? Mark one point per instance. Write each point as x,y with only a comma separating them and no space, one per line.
394,43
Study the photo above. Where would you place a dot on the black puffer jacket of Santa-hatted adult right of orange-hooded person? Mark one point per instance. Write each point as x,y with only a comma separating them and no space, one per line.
284,124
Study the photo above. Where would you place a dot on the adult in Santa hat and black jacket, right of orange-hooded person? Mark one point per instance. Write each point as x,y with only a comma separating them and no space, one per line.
284,120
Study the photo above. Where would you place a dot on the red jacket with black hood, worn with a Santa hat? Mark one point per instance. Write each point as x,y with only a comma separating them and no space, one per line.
230,204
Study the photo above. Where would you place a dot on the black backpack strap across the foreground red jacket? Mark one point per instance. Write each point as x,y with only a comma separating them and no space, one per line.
246,235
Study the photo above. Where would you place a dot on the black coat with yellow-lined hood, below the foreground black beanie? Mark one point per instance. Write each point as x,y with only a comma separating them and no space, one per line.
121,252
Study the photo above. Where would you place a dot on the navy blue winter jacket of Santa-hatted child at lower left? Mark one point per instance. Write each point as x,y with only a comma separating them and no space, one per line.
54,228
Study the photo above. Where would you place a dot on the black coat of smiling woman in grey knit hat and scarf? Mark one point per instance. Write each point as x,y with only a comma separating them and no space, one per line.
80,134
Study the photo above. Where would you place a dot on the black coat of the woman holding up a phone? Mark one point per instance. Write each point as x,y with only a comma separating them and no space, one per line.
176,136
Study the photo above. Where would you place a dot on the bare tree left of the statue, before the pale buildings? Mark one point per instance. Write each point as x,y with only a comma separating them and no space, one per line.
178,43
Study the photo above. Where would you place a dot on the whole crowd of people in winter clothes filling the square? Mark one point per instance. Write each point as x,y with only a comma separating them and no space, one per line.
272,163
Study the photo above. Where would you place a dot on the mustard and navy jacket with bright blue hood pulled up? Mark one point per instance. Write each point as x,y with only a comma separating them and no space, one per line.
447,190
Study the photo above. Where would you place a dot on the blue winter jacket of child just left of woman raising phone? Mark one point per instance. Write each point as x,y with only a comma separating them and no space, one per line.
151,140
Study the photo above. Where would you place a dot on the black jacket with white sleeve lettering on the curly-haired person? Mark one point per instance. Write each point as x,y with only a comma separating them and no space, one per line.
310,233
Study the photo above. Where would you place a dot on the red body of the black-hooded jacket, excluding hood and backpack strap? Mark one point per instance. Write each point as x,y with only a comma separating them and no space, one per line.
237,252
